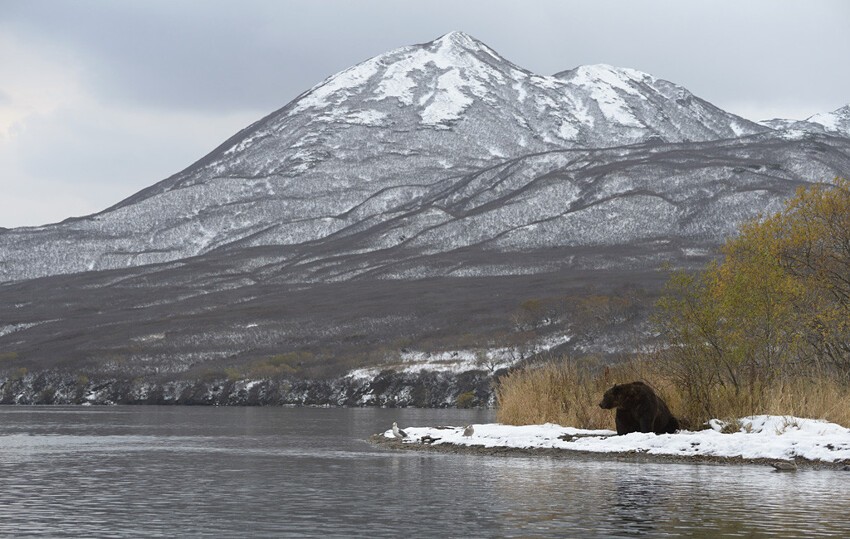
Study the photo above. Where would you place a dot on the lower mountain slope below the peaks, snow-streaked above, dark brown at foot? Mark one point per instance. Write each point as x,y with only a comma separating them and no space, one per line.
449,270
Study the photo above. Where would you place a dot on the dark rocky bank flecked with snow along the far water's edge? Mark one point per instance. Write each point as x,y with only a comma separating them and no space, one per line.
389,389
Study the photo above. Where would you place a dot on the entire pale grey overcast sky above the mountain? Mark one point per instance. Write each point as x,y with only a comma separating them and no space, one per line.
101,98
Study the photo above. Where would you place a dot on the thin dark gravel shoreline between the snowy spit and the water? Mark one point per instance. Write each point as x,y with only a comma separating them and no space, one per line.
628,456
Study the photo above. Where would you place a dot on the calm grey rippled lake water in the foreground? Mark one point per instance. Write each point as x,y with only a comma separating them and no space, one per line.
305,472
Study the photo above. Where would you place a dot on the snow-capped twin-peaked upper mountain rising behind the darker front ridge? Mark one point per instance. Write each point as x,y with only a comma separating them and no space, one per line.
364,144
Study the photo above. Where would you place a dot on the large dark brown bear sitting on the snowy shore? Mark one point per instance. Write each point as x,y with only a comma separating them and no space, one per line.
639,409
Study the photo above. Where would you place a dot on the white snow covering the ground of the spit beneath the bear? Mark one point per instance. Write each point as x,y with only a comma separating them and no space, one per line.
763,436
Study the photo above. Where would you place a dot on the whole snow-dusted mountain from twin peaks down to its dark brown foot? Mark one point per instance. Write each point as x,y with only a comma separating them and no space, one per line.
426,201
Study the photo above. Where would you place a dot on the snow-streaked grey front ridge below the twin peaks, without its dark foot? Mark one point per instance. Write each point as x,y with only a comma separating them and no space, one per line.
674,198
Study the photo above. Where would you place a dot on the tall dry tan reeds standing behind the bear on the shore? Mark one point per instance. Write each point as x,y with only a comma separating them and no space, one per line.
567,393
